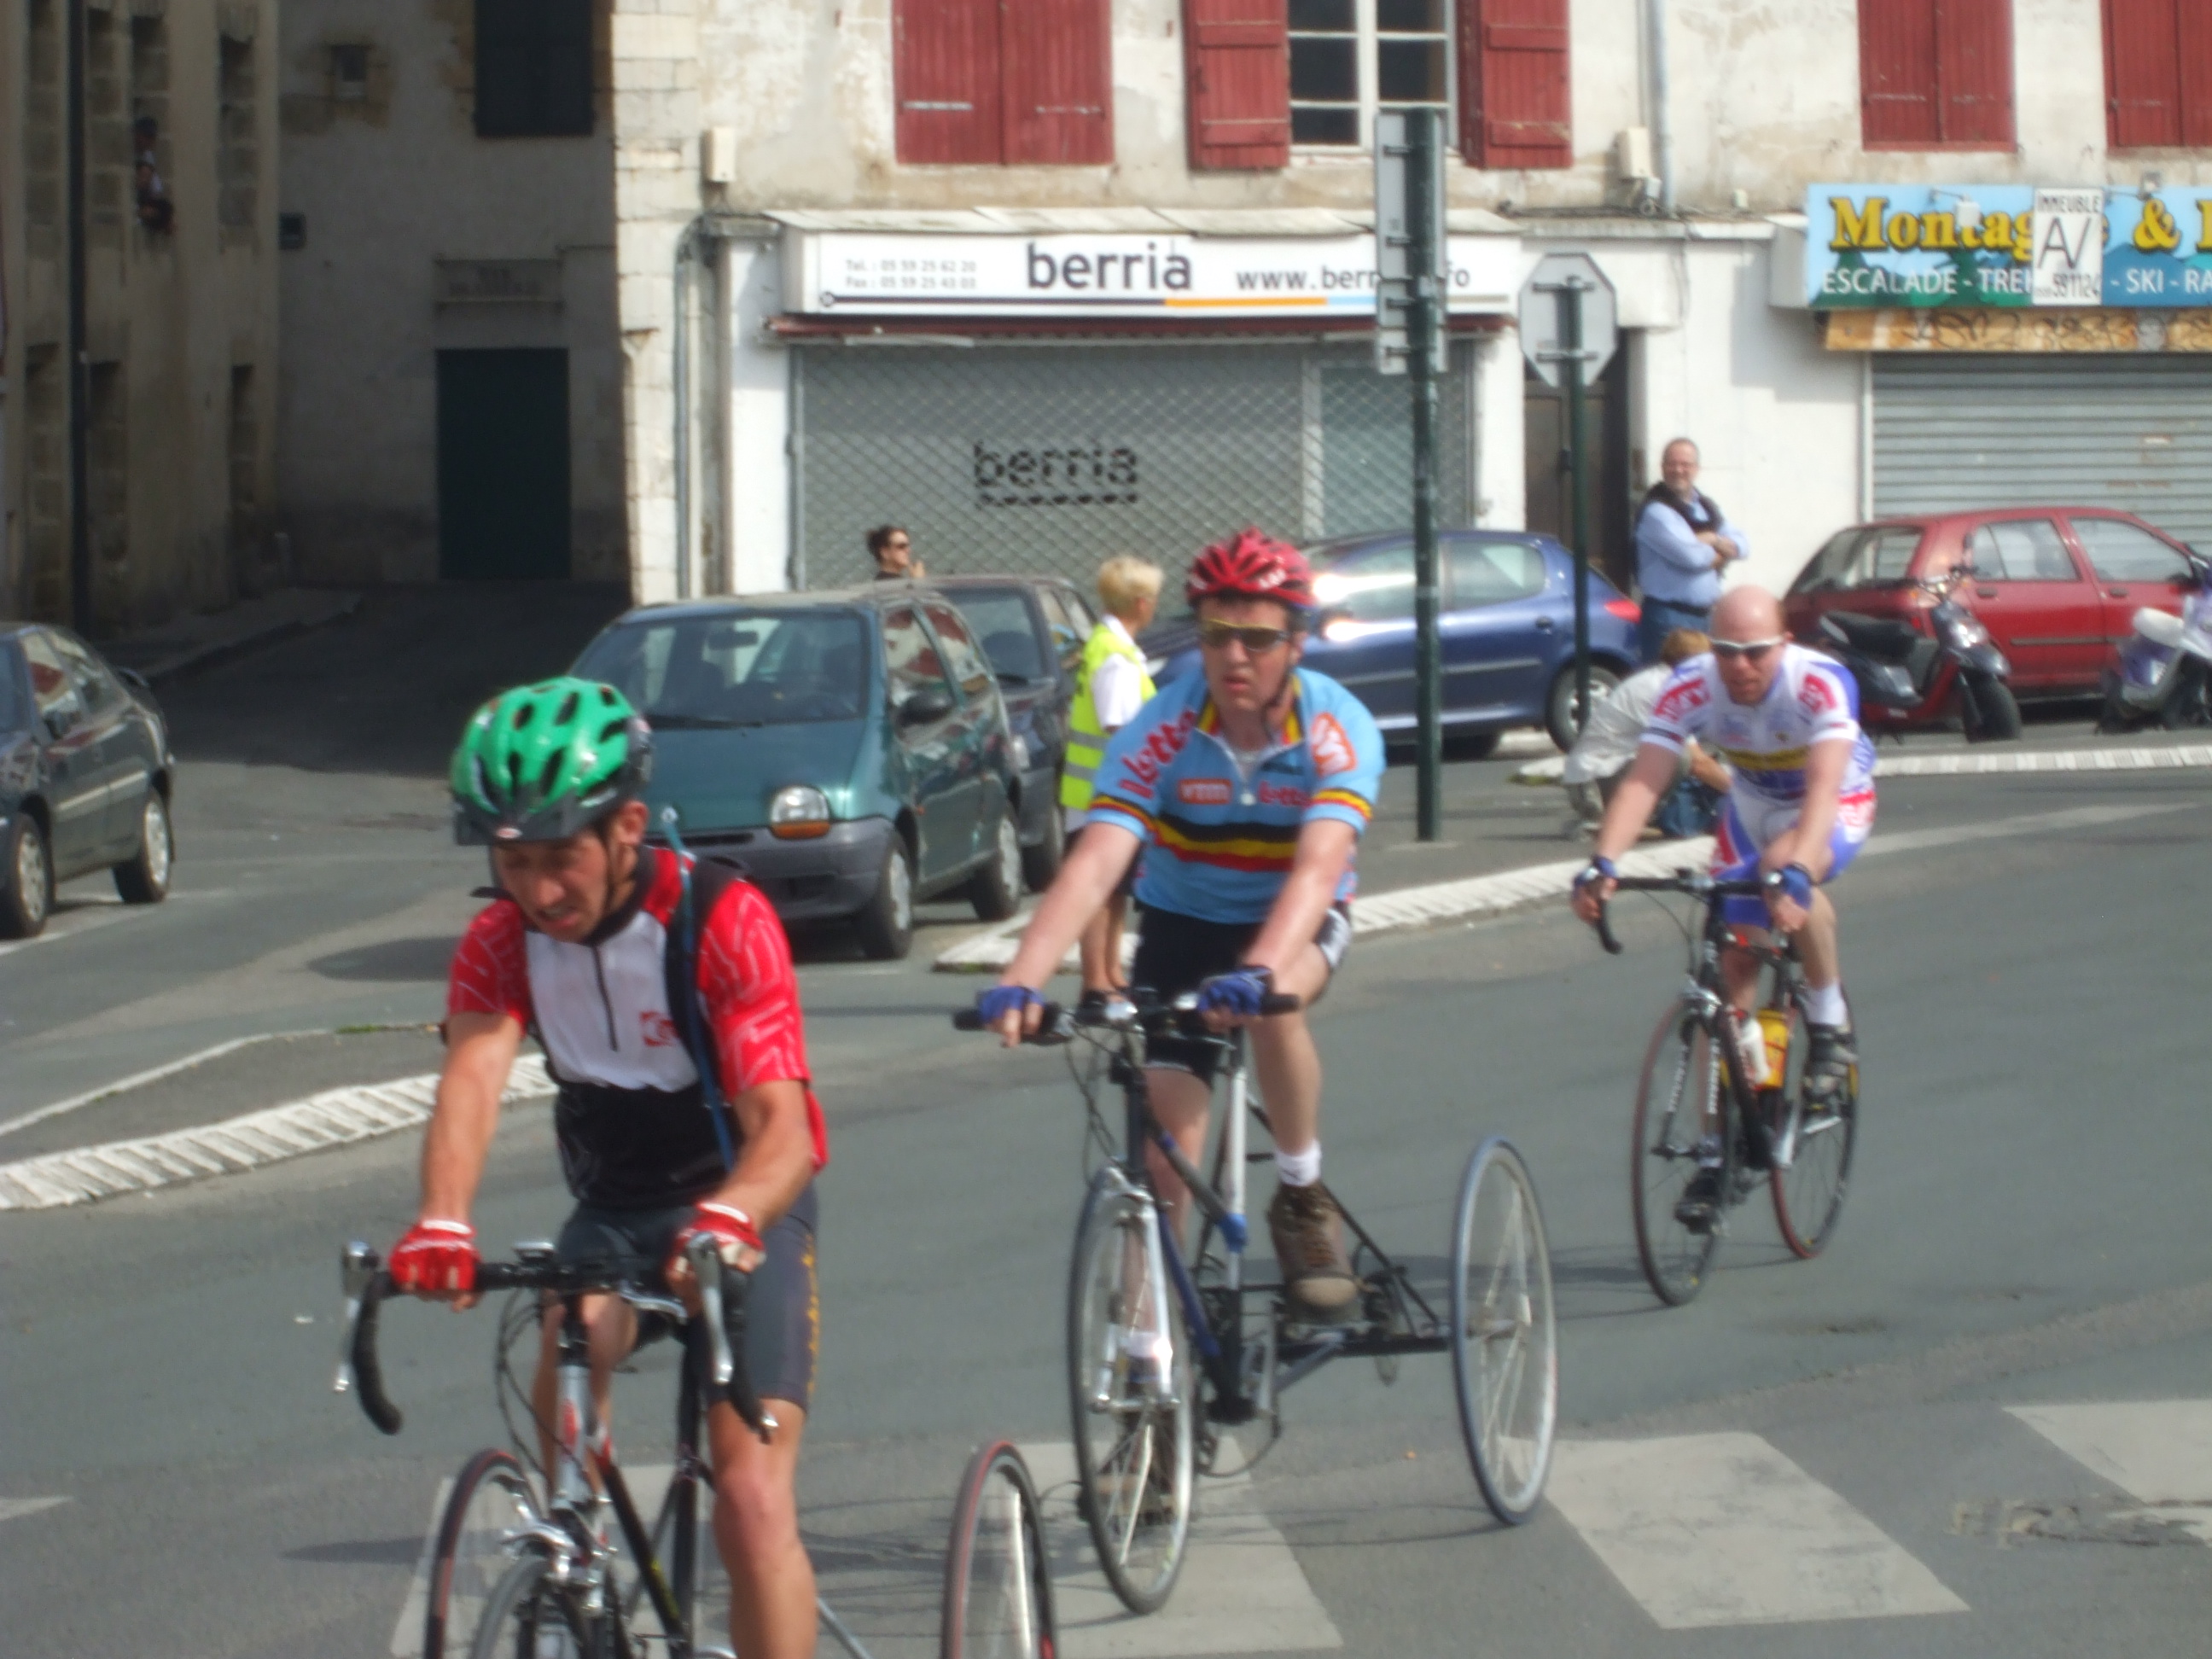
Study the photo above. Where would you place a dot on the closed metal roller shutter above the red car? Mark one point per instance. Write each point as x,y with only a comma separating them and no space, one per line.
1963,432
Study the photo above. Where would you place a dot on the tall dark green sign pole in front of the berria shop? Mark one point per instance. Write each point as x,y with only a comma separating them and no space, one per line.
1423,165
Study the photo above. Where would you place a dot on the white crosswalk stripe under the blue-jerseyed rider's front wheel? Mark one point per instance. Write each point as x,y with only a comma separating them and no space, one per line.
1242,1587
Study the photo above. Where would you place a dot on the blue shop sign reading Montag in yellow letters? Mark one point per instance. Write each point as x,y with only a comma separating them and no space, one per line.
2005,244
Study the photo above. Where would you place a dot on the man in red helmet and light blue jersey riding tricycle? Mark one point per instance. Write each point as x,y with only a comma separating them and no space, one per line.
1251,784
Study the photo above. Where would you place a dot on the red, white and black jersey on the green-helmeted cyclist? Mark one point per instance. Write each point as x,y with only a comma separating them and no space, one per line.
632,1116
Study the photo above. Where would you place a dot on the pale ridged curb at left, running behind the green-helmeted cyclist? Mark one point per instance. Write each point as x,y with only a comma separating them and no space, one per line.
315,1125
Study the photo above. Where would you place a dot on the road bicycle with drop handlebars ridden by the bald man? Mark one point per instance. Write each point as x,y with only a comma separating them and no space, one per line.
1702,1100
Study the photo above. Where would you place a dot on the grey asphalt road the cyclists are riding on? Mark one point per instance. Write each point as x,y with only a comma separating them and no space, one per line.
2025,1229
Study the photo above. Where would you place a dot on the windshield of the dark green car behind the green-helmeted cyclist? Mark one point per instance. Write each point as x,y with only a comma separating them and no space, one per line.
747,669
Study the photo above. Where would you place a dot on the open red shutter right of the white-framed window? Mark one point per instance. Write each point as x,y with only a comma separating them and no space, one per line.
1516,103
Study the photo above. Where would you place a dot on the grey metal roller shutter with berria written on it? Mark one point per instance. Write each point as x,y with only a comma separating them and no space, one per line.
1052,459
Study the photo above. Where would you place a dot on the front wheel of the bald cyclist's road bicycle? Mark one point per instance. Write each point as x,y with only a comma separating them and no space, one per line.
1678,1087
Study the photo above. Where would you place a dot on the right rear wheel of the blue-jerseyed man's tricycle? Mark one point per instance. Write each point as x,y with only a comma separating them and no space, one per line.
1505,1355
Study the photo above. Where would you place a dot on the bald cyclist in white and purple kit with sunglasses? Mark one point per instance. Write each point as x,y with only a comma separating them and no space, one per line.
1786,720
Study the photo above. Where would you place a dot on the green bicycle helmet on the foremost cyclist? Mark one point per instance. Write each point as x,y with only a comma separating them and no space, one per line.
547,762
